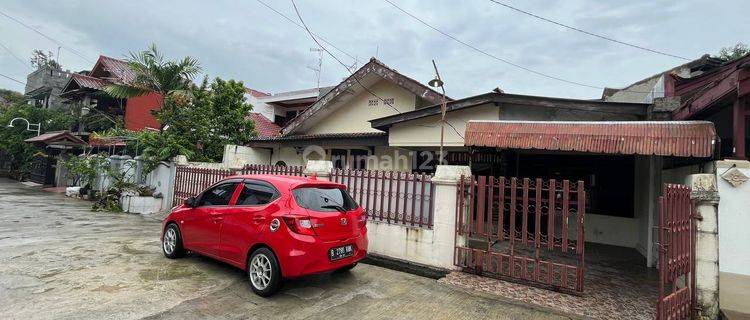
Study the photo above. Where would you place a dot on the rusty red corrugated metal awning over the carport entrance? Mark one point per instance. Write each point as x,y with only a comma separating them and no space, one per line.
663,138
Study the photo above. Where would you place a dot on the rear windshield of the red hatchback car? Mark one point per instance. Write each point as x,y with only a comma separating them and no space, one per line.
323,199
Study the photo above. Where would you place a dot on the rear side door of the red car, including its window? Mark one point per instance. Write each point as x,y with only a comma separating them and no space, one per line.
245,223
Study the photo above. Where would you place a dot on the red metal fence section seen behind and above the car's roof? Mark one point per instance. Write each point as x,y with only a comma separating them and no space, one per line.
189,181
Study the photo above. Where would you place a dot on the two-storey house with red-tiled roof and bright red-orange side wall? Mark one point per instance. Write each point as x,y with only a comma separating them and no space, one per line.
87,90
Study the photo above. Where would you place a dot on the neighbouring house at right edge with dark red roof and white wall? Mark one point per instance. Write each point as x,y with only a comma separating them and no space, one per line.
717,91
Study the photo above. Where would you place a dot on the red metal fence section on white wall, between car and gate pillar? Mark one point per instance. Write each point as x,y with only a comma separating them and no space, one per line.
393,197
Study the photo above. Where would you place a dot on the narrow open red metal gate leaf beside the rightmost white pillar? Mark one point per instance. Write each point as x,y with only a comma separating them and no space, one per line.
676,254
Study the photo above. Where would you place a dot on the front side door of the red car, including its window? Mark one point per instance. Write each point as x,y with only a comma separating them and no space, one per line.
200,229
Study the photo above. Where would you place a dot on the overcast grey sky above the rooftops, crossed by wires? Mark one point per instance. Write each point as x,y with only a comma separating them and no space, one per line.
246,41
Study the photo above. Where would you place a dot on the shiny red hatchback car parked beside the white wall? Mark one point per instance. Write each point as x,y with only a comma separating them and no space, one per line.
273,227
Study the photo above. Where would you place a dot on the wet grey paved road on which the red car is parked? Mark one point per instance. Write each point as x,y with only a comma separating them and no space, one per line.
60,260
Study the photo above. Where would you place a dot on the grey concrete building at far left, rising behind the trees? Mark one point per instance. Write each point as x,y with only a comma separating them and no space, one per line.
44,85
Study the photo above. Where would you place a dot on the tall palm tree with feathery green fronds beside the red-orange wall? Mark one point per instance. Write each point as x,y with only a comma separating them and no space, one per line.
152,74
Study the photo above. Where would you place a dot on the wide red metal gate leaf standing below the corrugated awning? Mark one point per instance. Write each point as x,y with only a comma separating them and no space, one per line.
527,230
